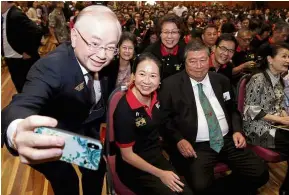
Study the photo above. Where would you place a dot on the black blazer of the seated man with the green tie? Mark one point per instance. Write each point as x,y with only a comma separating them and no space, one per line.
179,111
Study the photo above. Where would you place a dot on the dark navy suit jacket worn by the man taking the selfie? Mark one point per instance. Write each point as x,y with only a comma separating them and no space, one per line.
56,87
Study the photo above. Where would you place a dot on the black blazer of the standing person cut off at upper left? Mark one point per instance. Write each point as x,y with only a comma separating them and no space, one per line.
22,33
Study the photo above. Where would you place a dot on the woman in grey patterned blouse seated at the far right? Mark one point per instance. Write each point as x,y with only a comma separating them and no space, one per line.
264,106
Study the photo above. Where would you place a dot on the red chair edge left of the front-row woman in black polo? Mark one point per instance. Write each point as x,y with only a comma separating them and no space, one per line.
115,182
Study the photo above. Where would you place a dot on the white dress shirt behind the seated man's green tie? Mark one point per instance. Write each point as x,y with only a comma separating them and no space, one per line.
203,130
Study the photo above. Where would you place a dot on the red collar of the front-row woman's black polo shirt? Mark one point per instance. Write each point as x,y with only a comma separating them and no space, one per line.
134,103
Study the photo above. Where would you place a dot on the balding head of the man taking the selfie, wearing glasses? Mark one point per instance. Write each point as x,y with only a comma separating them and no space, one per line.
95,36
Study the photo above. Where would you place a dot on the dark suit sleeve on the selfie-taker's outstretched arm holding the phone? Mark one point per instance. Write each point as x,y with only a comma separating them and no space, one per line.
43,83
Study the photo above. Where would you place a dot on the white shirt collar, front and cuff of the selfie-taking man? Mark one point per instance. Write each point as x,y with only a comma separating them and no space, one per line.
13,125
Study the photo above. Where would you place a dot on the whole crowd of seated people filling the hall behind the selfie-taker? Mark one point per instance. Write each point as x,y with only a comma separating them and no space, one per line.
190,60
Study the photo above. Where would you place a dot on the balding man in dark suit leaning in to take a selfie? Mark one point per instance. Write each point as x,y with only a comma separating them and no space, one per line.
67,90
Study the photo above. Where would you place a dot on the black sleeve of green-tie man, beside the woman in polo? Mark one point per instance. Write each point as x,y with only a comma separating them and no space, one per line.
168,115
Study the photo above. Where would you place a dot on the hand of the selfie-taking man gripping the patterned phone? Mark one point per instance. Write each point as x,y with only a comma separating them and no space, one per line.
33,148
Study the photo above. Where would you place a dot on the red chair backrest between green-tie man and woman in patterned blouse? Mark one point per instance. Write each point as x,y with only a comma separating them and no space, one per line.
241,92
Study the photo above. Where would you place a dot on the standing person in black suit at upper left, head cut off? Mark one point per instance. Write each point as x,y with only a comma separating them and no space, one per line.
20,40
